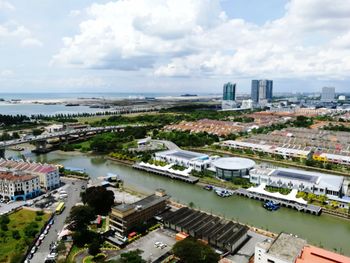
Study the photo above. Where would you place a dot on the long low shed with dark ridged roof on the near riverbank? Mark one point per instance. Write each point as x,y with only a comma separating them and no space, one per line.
217,232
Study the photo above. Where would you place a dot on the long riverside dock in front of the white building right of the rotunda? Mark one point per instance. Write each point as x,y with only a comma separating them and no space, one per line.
307,208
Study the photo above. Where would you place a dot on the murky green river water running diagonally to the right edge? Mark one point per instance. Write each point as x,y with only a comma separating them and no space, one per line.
324,231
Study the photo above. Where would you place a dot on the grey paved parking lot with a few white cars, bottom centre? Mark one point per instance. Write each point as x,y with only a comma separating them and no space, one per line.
148,244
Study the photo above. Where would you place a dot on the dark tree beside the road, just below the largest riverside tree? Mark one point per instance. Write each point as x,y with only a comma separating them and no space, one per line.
80,217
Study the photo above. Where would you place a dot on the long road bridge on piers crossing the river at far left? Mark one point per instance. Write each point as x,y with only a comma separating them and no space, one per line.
42,140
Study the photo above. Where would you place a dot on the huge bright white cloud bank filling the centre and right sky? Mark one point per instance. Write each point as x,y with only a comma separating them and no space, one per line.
178,38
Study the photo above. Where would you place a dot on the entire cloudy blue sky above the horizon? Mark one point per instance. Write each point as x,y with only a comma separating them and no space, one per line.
173,45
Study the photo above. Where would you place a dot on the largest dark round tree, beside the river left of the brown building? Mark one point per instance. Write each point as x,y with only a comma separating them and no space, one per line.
99,199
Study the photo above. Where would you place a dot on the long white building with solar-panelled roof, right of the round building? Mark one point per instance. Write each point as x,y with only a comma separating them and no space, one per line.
312,182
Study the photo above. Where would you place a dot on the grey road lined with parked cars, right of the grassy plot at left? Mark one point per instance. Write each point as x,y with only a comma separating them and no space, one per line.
73,192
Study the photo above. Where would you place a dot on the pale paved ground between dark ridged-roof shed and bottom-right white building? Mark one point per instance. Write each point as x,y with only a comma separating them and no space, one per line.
243,255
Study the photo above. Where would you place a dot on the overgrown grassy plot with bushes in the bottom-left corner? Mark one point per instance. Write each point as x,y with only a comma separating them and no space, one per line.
19,234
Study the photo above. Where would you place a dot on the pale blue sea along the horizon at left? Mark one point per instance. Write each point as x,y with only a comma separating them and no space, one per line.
18,103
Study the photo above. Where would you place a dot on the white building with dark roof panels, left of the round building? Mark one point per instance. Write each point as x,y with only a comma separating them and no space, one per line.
198,161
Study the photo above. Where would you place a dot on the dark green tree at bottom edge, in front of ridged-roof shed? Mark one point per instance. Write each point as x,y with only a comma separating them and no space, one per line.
191,250
